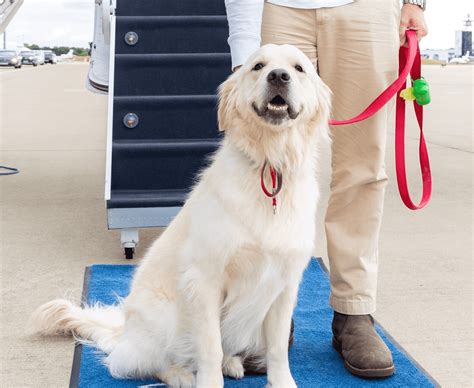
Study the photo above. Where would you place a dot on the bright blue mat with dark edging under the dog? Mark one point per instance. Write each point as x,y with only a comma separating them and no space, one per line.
314,363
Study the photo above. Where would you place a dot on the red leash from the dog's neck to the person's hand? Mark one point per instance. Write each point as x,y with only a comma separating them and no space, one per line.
409,64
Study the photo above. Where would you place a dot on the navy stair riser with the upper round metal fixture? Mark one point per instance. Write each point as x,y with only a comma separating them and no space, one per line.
173,34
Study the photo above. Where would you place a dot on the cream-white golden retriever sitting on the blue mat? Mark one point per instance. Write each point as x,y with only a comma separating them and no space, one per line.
221,282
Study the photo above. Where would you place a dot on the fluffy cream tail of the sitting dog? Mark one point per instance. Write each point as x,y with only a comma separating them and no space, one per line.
101,325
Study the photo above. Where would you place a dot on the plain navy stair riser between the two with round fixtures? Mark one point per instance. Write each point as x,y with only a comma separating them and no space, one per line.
169,74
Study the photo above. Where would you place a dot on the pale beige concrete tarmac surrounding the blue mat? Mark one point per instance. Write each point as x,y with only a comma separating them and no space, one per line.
53,222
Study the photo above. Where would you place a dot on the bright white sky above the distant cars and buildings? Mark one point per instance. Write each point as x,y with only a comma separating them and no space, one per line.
71,22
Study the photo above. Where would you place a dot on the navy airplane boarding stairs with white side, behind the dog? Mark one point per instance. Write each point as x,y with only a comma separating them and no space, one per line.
167,59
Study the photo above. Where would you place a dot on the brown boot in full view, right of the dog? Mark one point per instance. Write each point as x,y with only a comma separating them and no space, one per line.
363,351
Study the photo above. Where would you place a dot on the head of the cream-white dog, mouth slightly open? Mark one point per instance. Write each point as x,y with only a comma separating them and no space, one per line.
276,89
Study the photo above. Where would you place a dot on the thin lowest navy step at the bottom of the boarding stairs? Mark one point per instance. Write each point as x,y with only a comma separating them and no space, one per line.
146,198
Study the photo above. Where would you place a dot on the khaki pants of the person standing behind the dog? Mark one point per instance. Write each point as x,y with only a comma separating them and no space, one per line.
355,48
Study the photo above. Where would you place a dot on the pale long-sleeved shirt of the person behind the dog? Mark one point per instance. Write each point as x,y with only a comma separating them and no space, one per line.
245,20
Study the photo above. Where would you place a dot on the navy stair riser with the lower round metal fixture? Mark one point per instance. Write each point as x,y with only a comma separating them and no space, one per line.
167,117
